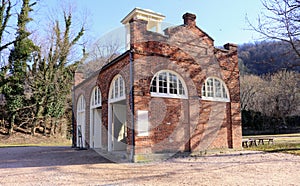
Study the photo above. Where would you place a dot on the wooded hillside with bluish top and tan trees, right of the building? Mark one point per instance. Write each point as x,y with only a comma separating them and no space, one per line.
270,88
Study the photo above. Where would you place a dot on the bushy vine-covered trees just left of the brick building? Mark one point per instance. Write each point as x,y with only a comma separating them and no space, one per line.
52,76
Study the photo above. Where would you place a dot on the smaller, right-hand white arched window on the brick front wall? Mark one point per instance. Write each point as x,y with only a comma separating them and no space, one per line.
214,89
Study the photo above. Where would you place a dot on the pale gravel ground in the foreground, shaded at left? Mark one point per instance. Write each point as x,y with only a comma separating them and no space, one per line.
67,166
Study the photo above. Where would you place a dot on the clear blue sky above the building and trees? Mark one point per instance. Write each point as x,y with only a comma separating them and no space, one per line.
223,20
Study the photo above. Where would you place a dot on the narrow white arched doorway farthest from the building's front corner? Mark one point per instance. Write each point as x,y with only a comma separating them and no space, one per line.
81,122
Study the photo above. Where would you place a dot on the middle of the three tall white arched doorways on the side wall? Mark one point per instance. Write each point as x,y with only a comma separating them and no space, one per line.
95,118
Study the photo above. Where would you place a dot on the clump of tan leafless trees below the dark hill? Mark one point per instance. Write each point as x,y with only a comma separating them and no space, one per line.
275,96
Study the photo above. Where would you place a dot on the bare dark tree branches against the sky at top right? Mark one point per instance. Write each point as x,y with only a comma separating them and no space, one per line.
280,22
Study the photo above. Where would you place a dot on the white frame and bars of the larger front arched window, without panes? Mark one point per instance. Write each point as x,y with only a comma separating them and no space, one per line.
179,81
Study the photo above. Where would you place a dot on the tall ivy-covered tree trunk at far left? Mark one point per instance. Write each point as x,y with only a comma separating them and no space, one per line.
19,56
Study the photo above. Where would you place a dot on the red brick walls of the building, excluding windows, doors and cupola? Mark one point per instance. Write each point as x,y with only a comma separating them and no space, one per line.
175,124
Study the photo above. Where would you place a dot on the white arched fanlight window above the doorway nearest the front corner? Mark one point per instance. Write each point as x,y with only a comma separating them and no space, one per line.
117,89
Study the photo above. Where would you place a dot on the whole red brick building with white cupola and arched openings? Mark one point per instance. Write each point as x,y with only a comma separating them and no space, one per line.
171,91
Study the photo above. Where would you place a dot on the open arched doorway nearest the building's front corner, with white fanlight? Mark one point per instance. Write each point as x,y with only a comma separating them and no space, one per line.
117,112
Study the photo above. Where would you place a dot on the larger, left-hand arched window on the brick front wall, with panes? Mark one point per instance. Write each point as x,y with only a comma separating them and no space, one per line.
168,84
